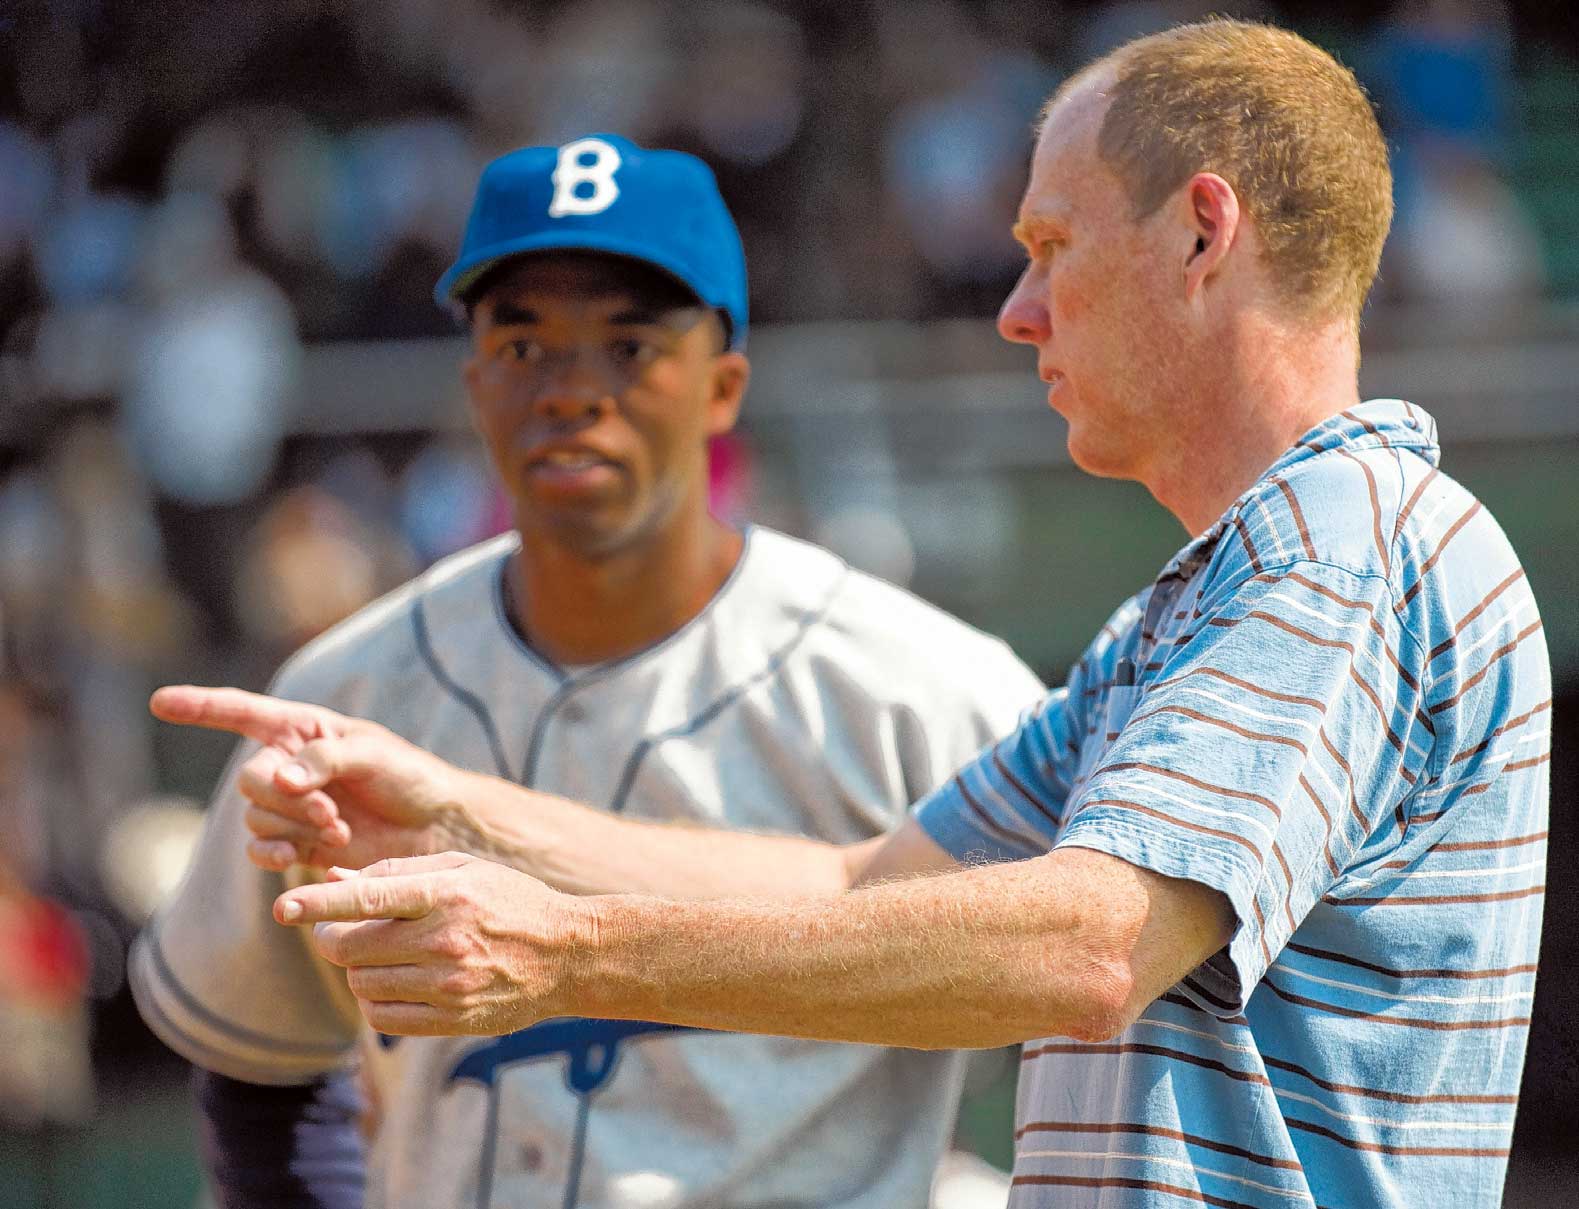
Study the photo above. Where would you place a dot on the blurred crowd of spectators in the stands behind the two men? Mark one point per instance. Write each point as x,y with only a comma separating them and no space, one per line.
195,192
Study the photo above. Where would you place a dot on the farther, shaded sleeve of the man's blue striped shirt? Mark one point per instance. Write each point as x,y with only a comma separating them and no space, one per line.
1007,803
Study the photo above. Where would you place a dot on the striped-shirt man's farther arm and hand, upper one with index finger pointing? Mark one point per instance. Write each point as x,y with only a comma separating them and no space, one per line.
332,790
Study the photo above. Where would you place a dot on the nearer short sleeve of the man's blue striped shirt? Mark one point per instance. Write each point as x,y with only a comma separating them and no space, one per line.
1272,746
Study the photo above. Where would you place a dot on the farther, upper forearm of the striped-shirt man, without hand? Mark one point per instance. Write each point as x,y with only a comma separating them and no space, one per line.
588,853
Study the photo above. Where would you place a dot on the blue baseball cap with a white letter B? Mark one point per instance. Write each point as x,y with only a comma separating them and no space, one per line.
607,195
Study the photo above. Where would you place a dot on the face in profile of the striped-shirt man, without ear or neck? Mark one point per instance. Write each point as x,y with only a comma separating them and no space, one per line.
1093,301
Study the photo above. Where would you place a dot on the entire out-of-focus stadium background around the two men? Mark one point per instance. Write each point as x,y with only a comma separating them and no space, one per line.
230,413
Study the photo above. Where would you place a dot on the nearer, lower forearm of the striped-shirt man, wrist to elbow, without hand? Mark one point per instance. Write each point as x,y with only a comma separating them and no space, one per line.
973,959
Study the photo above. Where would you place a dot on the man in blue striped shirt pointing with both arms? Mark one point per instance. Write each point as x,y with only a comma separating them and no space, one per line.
1267,872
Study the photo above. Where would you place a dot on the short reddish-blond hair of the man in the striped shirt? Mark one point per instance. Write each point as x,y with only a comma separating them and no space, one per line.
1283,122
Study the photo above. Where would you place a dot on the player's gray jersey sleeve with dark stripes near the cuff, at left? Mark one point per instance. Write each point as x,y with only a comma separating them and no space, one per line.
225,986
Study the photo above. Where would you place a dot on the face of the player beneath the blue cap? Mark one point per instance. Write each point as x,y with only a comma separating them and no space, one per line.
596,386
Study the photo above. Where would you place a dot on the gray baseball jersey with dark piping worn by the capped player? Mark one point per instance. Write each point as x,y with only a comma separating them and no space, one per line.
806,698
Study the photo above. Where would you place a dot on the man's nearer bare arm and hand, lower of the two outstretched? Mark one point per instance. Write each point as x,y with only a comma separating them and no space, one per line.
1075,945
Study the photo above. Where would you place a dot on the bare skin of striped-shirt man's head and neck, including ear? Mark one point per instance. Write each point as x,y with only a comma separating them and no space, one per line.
1171,350
